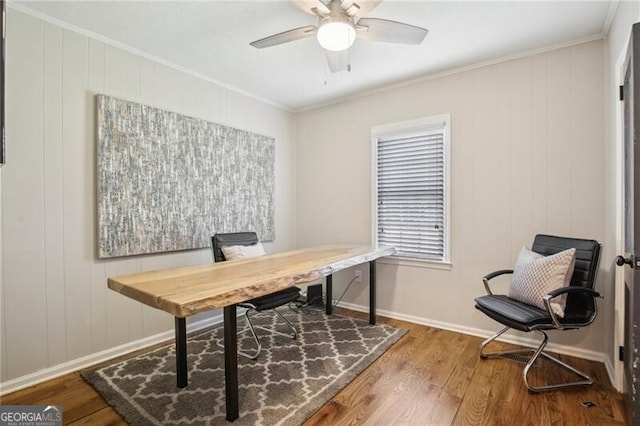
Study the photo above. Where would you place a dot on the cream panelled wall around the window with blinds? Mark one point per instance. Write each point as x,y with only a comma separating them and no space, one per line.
527,157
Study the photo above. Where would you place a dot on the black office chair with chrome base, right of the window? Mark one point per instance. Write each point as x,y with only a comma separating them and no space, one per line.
580,309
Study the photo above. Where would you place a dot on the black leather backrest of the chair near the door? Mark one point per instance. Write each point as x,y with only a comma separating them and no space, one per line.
579,306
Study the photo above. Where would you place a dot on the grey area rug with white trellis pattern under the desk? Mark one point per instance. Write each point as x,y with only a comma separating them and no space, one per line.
289,381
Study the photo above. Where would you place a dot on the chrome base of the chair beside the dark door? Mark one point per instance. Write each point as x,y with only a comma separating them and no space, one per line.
536,353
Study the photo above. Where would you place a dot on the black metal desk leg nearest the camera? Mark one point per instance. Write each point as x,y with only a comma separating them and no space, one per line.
231,362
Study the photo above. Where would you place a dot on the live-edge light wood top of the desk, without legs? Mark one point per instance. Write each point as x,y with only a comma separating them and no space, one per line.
189,290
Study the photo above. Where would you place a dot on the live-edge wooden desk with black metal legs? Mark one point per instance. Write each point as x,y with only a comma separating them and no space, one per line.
189,290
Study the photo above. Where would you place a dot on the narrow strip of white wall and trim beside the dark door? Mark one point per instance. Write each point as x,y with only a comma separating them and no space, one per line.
616,46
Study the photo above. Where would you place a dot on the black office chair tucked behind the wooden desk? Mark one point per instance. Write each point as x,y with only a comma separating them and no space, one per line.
259,304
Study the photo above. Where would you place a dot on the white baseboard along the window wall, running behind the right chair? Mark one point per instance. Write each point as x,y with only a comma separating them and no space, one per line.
523,341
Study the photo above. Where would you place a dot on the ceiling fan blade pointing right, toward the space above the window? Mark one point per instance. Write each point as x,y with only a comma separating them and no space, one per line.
389,31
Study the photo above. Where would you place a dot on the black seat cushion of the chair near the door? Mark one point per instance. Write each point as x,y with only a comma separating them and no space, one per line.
513,313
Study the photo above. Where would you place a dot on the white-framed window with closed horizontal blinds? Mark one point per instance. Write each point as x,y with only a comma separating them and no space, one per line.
411,200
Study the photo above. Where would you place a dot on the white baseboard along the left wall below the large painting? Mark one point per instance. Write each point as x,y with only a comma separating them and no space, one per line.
89,360
